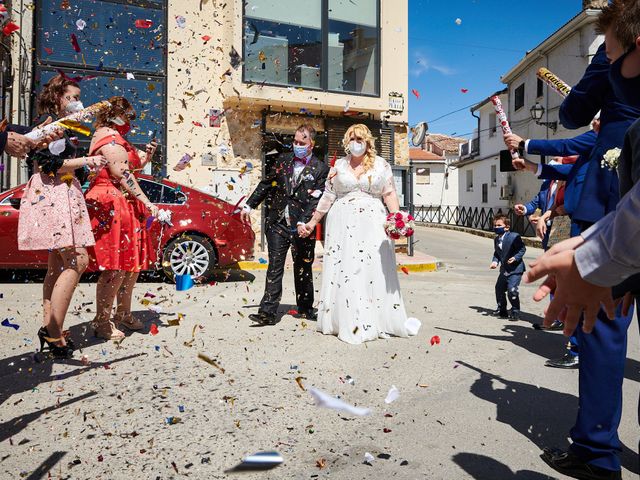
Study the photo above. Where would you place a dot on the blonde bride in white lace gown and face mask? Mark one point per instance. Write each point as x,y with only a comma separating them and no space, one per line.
360,296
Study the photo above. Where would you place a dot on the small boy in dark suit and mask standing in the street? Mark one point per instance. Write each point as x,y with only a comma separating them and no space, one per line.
508,253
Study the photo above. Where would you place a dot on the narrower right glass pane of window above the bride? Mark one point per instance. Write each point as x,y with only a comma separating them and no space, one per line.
352,45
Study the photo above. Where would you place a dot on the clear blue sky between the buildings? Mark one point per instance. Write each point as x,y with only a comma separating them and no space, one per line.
445,57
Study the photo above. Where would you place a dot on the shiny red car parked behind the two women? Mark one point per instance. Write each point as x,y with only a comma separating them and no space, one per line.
206,232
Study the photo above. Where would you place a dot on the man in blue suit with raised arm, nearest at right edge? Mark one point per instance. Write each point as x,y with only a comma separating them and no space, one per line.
595,446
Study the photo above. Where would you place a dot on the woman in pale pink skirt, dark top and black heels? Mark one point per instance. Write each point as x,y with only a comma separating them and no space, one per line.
54,217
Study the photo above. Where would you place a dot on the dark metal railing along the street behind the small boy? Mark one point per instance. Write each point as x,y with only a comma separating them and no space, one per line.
480,218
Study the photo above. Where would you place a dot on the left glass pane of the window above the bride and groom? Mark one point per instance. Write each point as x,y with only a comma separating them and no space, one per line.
283,42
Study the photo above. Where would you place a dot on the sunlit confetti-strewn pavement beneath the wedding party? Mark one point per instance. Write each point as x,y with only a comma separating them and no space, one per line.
479,405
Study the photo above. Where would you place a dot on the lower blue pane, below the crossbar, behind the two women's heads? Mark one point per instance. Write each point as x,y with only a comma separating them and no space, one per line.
146,96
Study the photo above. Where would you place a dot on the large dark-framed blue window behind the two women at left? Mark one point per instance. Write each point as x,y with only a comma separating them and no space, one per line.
111,46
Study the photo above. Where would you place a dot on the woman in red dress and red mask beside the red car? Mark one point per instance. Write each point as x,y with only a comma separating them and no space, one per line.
119,211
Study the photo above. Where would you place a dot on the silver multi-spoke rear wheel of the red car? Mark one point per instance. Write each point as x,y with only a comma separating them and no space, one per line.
189,255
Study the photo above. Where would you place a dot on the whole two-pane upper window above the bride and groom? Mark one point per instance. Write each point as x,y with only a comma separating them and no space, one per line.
331,45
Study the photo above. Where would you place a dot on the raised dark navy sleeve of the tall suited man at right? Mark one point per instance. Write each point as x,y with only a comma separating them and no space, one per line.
588,96
